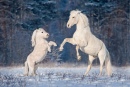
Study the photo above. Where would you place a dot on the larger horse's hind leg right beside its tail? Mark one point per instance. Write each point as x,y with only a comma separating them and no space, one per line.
101,56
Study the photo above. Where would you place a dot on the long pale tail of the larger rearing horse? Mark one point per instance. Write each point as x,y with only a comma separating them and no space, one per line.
108,64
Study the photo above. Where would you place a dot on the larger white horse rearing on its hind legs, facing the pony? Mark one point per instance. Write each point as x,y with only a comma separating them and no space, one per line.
87,42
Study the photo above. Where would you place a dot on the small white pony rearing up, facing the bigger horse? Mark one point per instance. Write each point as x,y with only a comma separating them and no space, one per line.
41,47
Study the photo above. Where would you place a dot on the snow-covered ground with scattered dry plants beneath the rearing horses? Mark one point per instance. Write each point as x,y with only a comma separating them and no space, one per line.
64,77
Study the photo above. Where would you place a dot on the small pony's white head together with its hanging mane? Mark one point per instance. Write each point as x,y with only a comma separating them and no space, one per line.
39,33
